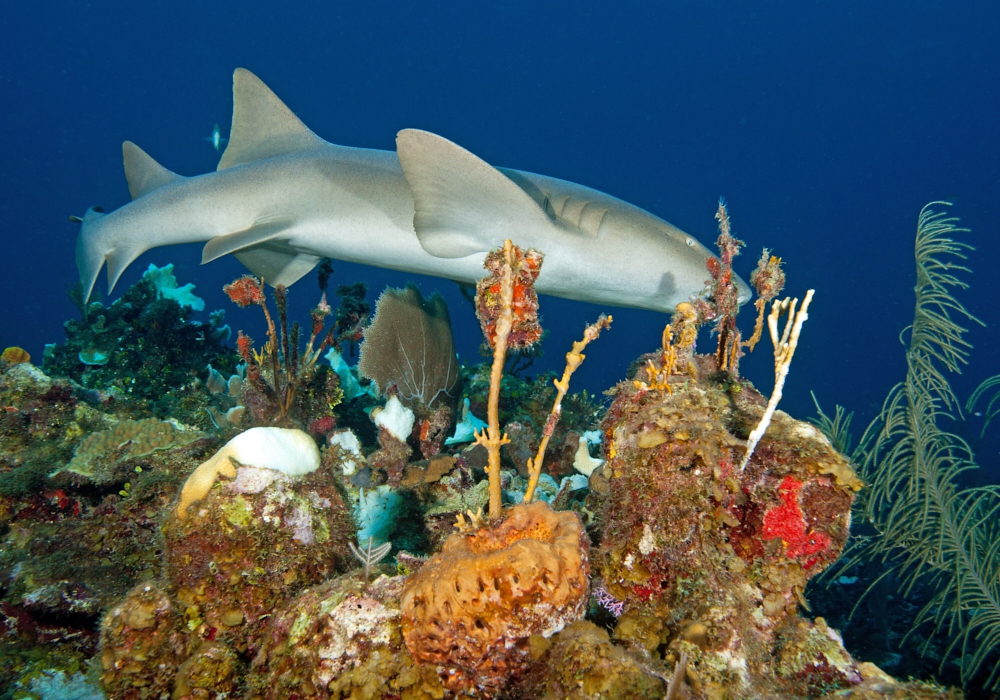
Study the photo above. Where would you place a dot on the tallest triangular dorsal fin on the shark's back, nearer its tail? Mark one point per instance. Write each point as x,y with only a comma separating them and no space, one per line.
263,127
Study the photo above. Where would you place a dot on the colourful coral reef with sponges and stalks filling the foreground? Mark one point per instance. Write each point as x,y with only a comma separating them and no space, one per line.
183,567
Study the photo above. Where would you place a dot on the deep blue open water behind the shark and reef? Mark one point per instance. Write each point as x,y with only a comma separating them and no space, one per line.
826,126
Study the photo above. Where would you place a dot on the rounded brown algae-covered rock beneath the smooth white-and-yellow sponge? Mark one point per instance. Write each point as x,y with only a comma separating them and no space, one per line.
250,544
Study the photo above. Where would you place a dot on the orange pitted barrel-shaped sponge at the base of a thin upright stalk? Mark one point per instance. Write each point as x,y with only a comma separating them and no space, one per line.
472,608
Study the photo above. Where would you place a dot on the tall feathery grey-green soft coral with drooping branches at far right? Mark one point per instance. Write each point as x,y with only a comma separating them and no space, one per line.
930,529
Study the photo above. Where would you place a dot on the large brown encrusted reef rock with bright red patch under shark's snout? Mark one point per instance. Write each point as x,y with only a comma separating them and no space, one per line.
713,561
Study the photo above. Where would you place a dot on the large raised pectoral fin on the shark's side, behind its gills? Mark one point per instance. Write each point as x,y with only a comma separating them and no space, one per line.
463,205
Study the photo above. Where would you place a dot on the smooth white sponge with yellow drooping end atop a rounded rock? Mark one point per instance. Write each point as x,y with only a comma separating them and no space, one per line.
291,452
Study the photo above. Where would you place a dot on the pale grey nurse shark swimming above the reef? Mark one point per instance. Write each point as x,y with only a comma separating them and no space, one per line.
282,199
